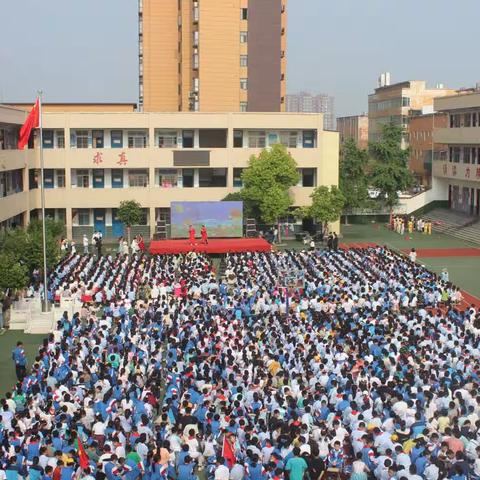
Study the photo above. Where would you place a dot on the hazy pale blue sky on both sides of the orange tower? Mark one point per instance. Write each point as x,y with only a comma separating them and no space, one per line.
87,50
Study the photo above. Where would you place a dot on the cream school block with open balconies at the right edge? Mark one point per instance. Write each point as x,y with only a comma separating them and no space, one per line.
458,167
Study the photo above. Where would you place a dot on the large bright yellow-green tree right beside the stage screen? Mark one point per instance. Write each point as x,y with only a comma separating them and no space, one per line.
266,183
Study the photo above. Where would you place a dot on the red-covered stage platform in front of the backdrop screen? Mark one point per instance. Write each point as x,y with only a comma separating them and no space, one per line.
215,245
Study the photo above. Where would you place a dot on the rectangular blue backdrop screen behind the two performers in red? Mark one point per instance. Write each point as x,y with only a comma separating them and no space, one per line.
222,219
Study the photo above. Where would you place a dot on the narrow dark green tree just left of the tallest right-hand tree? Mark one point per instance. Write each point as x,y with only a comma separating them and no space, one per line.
353,181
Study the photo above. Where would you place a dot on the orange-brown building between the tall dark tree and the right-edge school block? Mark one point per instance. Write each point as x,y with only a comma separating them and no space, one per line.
422,146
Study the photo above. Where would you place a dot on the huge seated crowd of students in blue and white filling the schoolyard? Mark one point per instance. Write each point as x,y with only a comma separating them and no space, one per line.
367,370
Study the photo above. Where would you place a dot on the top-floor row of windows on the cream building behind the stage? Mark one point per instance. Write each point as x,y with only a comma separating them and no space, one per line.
207,138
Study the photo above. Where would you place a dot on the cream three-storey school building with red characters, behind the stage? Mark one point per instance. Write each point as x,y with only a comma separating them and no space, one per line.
94,160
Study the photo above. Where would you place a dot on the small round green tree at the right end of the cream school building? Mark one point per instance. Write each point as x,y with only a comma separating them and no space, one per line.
327,205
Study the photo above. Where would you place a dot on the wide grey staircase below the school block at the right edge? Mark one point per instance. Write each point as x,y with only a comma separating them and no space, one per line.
455,224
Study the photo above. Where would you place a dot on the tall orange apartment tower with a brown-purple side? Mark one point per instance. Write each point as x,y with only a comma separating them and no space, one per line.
212,56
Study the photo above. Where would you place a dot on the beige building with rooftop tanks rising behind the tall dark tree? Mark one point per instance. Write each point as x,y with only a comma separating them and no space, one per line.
395,103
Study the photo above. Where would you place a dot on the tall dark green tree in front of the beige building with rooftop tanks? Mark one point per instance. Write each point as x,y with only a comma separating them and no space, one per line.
390,173
